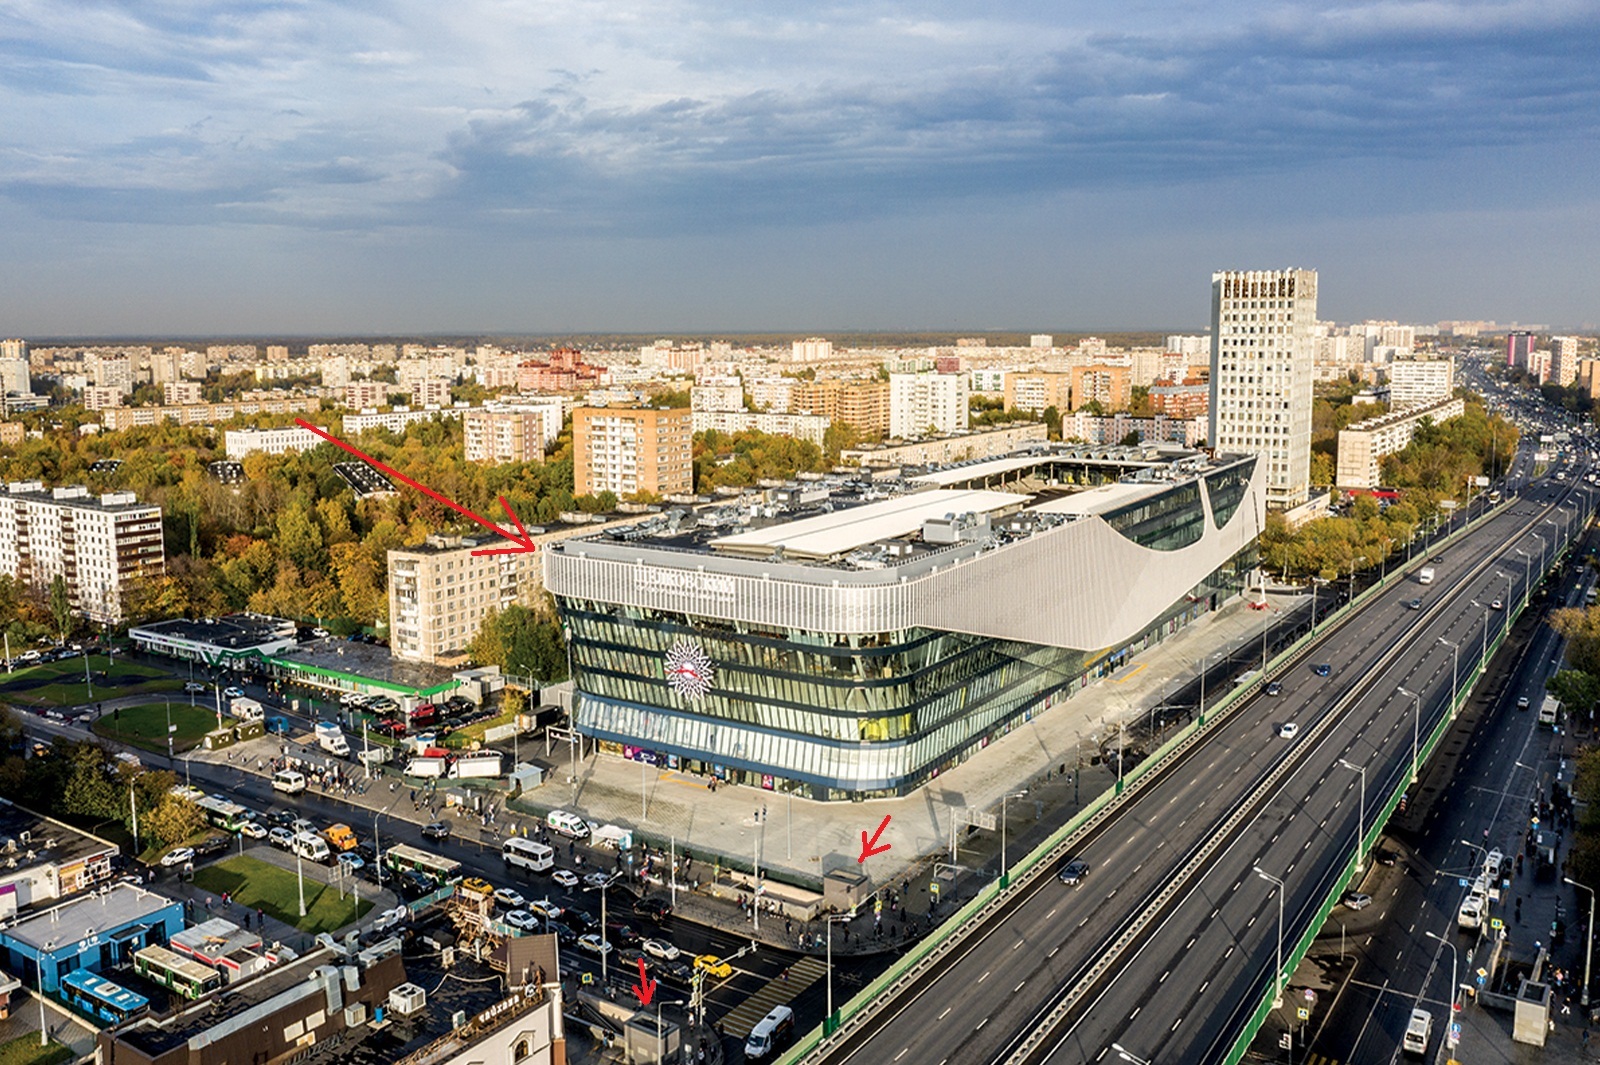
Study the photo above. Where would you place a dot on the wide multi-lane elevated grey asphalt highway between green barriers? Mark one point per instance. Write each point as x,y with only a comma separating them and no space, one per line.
1170,943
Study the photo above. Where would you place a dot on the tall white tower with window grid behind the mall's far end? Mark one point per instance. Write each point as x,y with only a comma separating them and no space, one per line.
1262,373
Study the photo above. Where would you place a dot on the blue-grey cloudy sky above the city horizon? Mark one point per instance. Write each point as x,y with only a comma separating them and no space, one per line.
713,166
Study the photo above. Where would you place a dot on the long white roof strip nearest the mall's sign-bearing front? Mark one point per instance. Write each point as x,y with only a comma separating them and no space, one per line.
842,532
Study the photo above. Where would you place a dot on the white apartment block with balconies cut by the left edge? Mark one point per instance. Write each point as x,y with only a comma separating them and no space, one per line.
100,544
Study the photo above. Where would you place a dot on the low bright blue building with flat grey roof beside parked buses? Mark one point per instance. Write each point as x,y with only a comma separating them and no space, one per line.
97,933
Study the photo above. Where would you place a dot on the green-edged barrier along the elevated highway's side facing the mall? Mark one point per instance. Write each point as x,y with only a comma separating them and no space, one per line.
1023,874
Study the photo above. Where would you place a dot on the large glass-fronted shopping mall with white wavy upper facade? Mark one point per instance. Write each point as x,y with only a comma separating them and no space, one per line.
855,637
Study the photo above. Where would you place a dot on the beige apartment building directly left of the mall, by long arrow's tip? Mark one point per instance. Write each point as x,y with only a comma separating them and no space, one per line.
441,592
